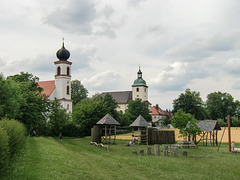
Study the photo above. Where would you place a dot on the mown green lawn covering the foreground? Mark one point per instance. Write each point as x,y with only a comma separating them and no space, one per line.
75,158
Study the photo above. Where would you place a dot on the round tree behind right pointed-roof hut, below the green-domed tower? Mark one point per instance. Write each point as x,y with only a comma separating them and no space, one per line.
135,108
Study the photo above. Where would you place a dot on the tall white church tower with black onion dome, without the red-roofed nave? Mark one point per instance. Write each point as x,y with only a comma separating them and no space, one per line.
63,78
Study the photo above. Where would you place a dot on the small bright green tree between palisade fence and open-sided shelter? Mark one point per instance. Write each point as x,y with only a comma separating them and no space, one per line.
186,123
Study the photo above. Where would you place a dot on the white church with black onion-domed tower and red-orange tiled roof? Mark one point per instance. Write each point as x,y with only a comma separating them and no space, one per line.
60,88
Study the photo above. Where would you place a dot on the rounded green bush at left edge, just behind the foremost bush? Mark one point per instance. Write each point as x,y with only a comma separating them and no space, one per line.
16,132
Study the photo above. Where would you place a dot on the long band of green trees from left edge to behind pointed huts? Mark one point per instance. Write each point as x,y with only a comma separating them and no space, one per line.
21,98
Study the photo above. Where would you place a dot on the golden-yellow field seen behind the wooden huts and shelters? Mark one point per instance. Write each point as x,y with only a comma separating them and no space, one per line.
235,135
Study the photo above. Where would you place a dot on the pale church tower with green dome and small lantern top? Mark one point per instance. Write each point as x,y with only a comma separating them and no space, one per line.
140,88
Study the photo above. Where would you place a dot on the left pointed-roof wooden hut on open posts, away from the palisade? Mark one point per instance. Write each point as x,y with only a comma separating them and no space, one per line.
109,129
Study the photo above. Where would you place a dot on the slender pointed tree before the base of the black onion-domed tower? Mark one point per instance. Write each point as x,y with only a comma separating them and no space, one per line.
58,118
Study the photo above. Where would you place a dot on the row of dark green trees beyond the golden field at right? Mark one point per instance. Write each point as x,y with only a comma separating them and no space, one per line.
217,106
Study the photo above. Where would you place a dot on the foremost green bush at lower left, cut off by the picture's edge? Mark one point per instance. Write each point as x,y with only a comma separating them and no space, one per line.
4,150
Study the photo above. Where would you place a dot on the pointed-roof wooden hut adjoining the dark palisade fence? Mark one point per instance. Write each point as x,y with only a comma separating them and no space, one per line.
142,126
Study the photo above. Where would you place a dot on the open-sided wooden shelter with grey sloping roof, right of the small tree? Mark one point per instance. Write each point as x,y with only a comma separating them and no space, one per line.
209,132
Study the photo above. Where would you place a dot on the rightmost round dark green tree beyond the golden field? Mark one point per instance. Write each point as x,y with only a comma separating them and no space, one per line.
220,105
